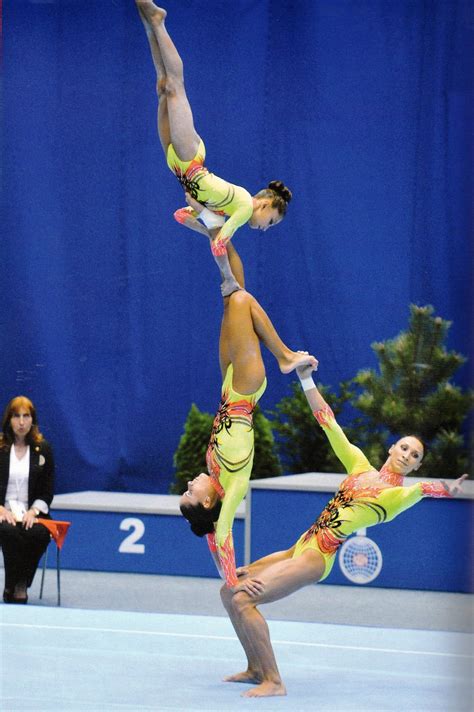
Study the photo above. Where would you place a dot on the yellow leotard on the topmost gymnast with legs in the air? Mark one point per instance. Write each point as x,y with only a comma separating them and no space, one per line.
210,190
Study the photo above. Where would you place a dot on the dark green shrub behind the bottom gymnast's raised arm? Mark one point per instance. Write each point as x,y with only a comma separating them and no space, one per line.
303,446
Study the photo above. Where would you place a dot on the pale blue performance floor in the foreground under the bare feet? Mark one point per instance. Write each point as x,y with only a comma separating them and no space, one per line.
71,659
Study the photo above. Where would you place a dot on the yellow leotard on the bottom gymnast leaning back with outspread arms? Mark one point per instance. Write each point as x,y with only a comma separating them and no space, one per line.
365,498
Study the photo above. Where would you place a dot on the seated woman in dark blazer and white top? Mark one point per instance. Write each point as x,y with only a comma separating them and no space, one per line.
26,492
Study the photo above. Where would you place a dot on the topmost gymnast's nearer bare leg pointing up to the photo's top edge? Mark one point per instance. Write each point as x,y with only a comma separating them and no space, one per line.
182,133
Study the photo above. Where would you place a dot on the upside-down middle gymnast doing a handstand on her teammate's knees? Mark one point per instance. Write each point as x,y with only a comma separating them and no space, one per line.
211,500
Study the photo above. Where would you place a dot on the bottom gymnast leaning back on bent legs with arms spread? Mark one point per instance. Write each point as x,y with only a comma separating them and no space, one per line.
365,498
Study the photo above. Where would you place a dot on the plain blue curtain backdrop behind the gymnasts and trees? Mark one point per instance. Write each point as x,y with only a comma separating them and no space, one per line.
110,310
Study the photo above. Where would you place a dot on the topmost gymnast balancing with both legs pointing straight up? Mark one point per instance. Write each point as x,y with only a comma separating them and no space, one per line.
185,154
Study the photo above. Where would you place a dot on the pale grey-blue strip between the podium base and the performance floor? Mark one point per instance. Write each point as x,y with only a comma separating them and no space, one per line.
342,605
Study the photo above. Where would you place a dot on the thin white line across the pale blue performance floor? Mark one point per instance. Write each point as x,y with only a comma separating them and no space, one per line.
231,638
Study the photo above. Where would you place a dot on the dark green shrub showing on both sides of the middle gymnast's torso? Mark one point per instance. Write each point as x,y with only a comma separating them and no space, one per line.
190,456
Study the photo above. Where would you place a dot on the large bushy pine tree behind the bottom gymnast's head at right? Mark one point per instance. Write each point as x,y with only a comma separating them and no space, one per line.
411,393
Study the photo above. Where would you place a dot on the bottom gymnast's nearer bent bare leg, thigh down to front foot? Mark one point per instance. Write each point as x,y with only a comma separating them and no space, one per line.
279,580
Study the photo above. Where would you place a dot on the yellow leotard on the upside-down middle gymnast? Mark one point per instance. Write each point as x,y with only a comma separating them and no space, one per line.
229,460
